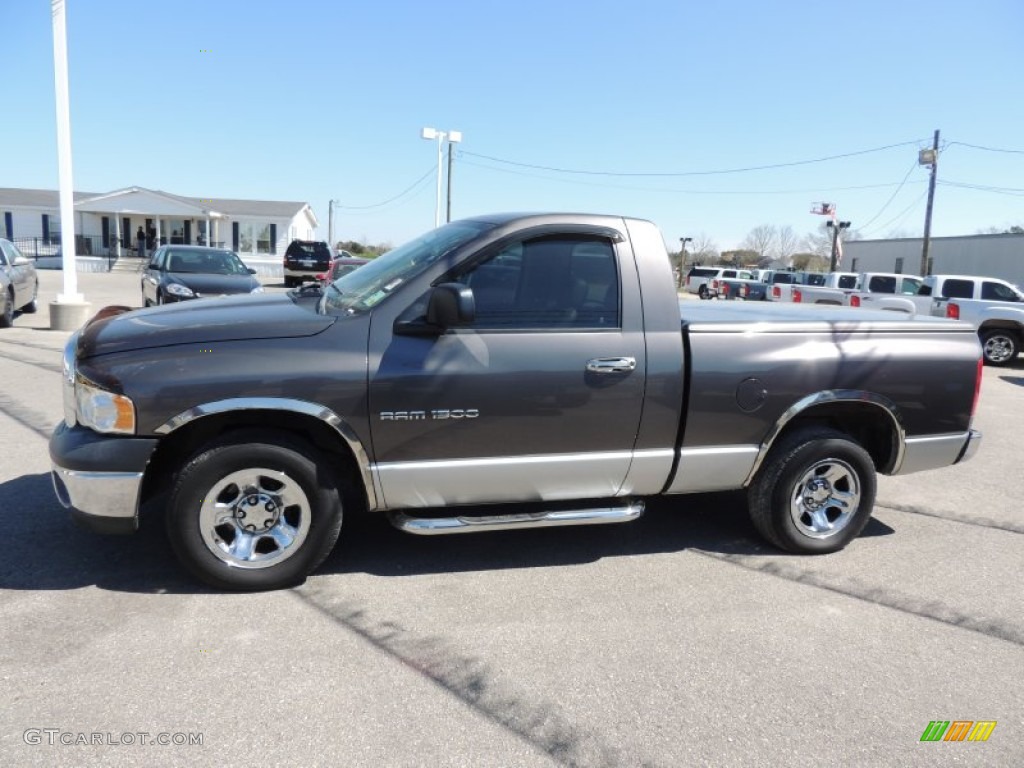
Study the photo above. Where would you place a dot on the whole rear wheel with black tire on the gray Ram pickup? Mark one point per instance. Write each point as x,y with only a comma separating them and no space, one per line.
815,493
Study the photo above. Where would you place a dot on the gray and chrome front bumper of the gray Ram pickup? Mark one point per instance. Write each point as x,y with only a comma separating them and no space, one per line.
100,478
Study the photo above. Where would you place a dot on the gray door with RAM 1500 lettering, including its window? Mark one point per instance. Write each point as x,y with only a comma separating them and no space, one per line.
540,400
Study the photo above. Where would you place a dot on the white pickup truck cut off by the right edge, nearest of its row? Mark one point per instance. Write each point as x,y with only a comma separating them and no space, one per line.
992,306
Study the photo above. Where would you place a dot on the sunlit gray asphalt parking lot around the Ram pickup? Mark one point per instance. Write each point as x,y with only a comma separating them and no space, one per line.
677,641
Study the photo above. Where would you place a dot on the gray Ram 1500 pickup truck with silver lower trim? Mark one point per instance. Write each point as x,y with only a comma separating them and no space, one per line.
498,373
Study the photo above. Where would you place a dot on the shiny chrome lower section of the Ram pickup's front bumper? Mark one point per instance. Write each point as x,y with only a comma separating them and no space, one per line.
107,502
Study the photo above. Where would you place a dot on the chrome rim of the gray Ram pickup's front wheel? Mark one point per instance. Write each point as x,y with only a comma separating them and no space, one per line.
255,519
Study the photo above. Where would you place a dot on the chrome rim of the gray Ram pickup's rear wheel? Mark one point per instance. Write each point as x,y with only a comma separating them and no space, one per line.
826,499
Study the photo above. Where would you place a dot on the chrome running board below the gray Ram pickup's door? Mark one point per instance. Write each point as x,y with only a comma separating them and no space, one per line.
478,524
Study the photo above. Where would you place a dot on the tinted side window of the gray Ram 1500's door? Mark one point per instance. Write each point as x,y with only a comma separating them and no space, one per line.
547,283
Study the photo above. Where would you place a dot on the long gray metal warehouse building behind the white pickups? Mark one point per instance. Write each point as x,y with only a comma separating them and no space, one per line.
986,255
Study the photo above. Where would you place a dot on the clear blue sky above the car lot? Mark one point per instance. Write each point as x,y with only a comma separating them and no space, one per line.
313,101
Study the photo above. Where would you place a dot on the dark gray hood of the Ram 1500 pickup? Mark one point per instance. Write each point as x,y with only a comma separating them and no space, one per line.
229,319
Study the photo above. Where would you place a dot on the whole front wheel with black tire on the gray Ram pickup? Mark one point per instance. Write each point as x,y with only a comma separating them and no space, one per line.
284,482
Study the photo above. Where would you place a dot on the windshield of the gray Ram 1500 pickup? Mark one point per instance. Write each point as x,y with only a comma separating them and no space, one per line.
363,289
